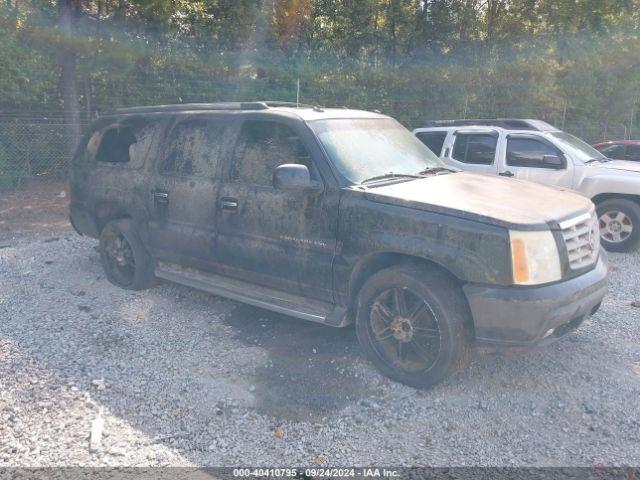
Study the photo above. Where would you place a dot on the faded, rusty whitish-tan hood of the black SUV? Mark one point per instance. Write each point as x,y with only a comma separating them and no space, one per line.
504,202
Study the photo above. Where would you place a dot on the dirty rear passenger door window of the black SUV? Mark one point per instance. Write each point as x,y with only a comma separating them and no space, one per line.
194,148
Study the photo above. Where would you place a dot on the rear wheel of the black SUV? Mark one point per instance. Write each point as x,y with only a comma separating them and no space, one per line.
125,260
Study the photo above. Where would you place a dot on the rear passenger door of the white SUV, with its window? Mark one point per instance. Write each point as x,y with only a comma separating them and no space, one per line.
473,150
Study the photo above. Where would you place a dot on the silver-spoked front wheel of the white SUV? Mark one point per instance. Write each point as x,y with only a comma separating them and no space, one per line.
619,224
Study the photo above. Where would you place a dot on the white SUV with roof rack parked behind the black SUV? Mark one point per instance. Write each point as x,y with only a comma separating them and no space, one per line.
536,151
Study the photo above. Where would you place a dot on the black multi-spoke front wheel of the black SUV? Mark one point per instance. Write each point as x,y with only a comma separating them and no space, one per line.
411,324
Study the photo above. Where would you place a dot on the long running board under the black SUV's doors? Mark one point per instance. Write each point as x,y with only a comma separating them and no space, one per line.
256,295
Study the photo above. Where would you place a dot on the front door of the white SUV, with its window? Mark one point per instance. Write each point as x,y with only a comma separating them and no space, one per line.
523,159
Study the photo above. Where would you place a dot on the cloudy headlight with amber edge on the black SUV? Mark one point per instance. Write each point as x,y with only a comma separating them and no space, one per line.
534,258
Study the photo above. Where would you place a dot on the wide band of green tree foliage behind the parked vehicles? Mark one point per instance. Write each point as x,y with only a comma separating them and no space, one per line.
572,63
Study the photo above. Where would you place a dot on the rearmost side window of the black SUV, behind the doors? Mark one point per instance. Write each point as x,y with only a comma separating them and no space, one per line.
123,143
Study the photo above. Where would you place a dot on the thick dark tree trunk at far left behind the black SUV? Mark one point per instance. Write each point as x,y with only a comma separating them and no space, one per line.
69,77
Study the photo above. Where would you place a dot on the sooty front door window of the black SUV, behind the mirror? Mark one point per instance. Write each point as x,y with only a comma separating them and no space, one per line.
261,147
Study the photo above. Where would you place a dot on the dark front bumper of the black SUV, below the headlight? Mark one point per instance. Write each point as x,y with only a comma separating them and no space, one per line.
521,316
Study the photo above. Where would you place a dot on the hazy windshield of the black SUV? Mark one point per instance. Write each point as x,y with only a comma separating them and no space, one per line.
362,149
